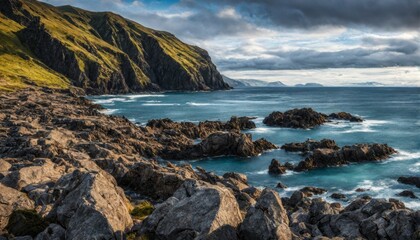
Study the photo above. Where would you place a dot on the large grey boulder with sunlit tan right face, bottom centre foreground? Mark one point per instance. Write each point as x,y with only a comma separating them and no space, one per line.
215,212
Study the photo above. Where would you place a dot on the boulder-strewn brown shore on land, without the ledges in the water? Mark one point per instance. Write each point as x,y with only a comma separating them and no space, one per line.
62,138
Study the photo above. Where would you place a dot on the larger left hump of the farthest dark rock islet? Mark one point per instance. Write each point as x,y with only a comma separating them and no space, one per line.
296,118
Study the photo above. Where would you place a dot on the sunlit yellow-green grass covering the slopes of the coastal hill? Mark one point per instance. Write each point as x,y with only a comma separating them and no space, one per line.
94,38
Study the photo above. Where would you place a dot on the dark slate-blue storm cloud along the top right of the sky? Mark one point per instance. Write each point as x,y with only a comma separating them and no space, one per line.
385,14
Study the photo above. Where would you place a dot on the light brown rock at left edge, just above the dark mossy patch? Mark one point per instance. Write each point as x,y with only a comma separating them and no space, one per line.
11,200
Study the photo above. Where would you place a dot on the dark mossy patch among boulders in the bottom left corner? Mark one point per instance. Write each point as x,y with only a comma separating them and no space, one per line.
26,222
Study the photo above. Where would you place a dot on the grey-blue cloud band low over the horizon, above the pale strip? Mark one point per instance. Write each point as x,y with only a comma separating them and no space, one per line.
398,53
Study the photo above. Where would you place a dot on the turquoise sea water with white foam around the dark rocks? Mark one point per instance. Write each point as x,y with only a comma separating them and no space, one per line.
392,116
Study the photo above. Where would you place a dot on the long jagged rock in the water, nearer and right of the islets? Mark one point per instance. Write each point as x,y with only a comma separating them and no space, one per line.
356,153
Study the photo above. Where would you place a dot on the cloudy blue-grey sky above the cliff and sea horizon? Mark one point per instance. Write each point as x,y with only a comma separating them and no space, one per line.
332,42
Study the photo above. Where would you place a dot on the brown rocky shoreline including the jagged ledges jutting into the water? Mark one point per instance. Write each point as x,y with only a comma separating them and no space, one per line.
68,171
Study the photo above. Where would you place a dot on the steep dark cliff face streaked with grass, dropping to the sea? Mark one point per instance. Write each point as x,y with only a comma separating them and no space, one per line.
105,53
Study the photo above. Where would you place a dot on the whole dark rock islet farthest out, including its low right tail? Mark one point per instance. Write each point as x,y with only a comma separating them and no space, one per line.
305,118
